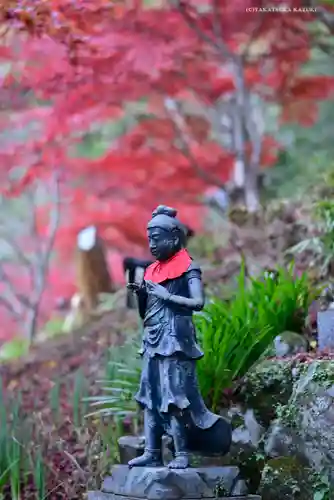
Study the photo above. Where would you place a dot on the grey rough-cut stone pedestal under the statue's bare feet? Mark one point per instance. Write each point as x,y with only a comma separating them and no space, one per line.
161,483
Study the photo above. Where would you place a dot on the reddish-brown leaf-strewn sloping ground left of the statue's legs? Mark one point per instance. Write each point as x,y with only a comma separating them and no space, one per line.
64,444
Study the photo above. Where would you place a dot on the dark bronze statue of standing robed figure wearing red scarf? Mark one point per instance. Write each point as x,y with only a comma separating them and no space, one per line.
171,291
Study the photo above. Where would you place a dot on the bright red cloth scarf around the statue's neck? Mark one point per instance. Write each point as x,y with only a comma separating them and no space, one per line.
169,269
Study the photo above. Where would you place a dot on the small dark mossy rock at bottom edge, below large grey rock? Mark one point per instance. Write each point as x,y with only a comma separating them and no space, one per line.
286,479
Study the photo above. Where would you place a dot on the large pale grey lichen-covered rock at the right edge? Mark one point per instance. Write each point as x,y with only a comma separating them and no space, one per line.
305,425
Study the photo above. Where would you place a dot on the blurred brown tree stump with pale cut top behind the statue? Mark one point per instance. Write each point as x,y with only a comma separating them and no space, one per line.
92,269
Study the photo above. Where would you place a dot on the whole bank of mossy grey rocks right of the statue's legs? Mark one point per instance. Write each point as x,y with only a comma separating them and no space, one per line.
296,402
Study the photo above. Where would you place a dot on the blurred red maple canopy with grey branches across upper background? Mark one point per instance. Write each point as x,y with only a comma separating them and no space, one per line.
164,75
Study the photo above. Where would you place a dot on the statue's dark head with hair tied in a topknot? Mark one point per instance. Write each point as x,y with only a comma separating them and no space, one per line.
166,234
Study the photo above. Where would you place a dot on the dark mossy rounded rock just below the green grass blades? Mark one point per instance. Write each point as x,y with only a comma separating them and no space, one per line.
268,384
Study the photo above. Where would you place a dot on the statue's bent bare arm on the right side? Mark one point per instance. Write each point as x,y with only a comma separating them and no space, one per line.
196,291
